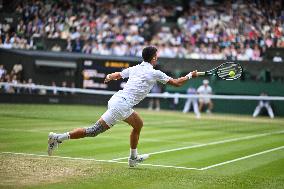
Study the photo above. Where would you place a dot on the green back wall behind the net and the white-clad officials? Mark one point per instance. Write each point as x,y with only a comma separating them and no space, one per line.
237,88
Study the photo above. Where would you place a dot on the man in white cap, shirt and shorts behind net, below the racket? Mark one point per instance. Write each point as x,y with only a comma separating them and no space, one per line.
205,89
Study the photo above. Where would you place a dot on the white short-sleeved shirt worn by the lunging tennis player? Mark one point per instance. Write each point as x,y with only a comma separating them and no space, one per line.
142,78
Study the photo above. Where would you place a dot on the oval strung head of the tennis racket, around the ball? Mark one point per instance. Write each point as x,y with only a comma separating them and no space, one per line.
223,71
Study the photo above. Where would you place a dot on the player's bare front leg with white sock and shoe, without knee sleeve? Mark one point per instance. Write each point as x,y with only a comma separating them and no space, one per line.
136,122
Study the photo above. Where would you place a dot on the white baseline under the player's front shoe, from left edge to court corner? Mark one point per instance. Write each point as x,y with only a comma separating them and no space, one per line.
99,160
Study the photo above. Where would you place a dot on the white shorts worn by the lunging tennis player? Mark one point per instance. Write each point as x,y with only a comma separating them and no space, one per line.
118,110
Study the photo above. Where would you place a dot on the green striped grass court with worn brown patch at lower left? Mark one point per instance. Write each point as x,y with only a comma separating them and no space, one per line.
24,129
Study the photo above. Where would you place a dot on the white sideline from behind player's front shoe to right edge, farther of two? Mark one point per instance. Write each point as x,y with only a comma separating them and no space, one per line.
208,144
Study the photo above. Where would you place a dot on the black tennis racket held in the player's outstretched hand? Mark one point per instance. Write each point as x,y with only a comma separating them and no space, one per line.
226,71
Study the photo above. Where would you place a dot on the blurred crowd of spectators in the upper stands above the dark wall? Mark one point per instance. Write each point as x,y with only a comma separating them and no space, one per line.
237,30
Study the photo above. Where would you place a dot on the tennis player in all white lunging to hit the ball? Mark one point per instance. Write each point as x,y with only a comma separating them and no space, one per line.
141,79
